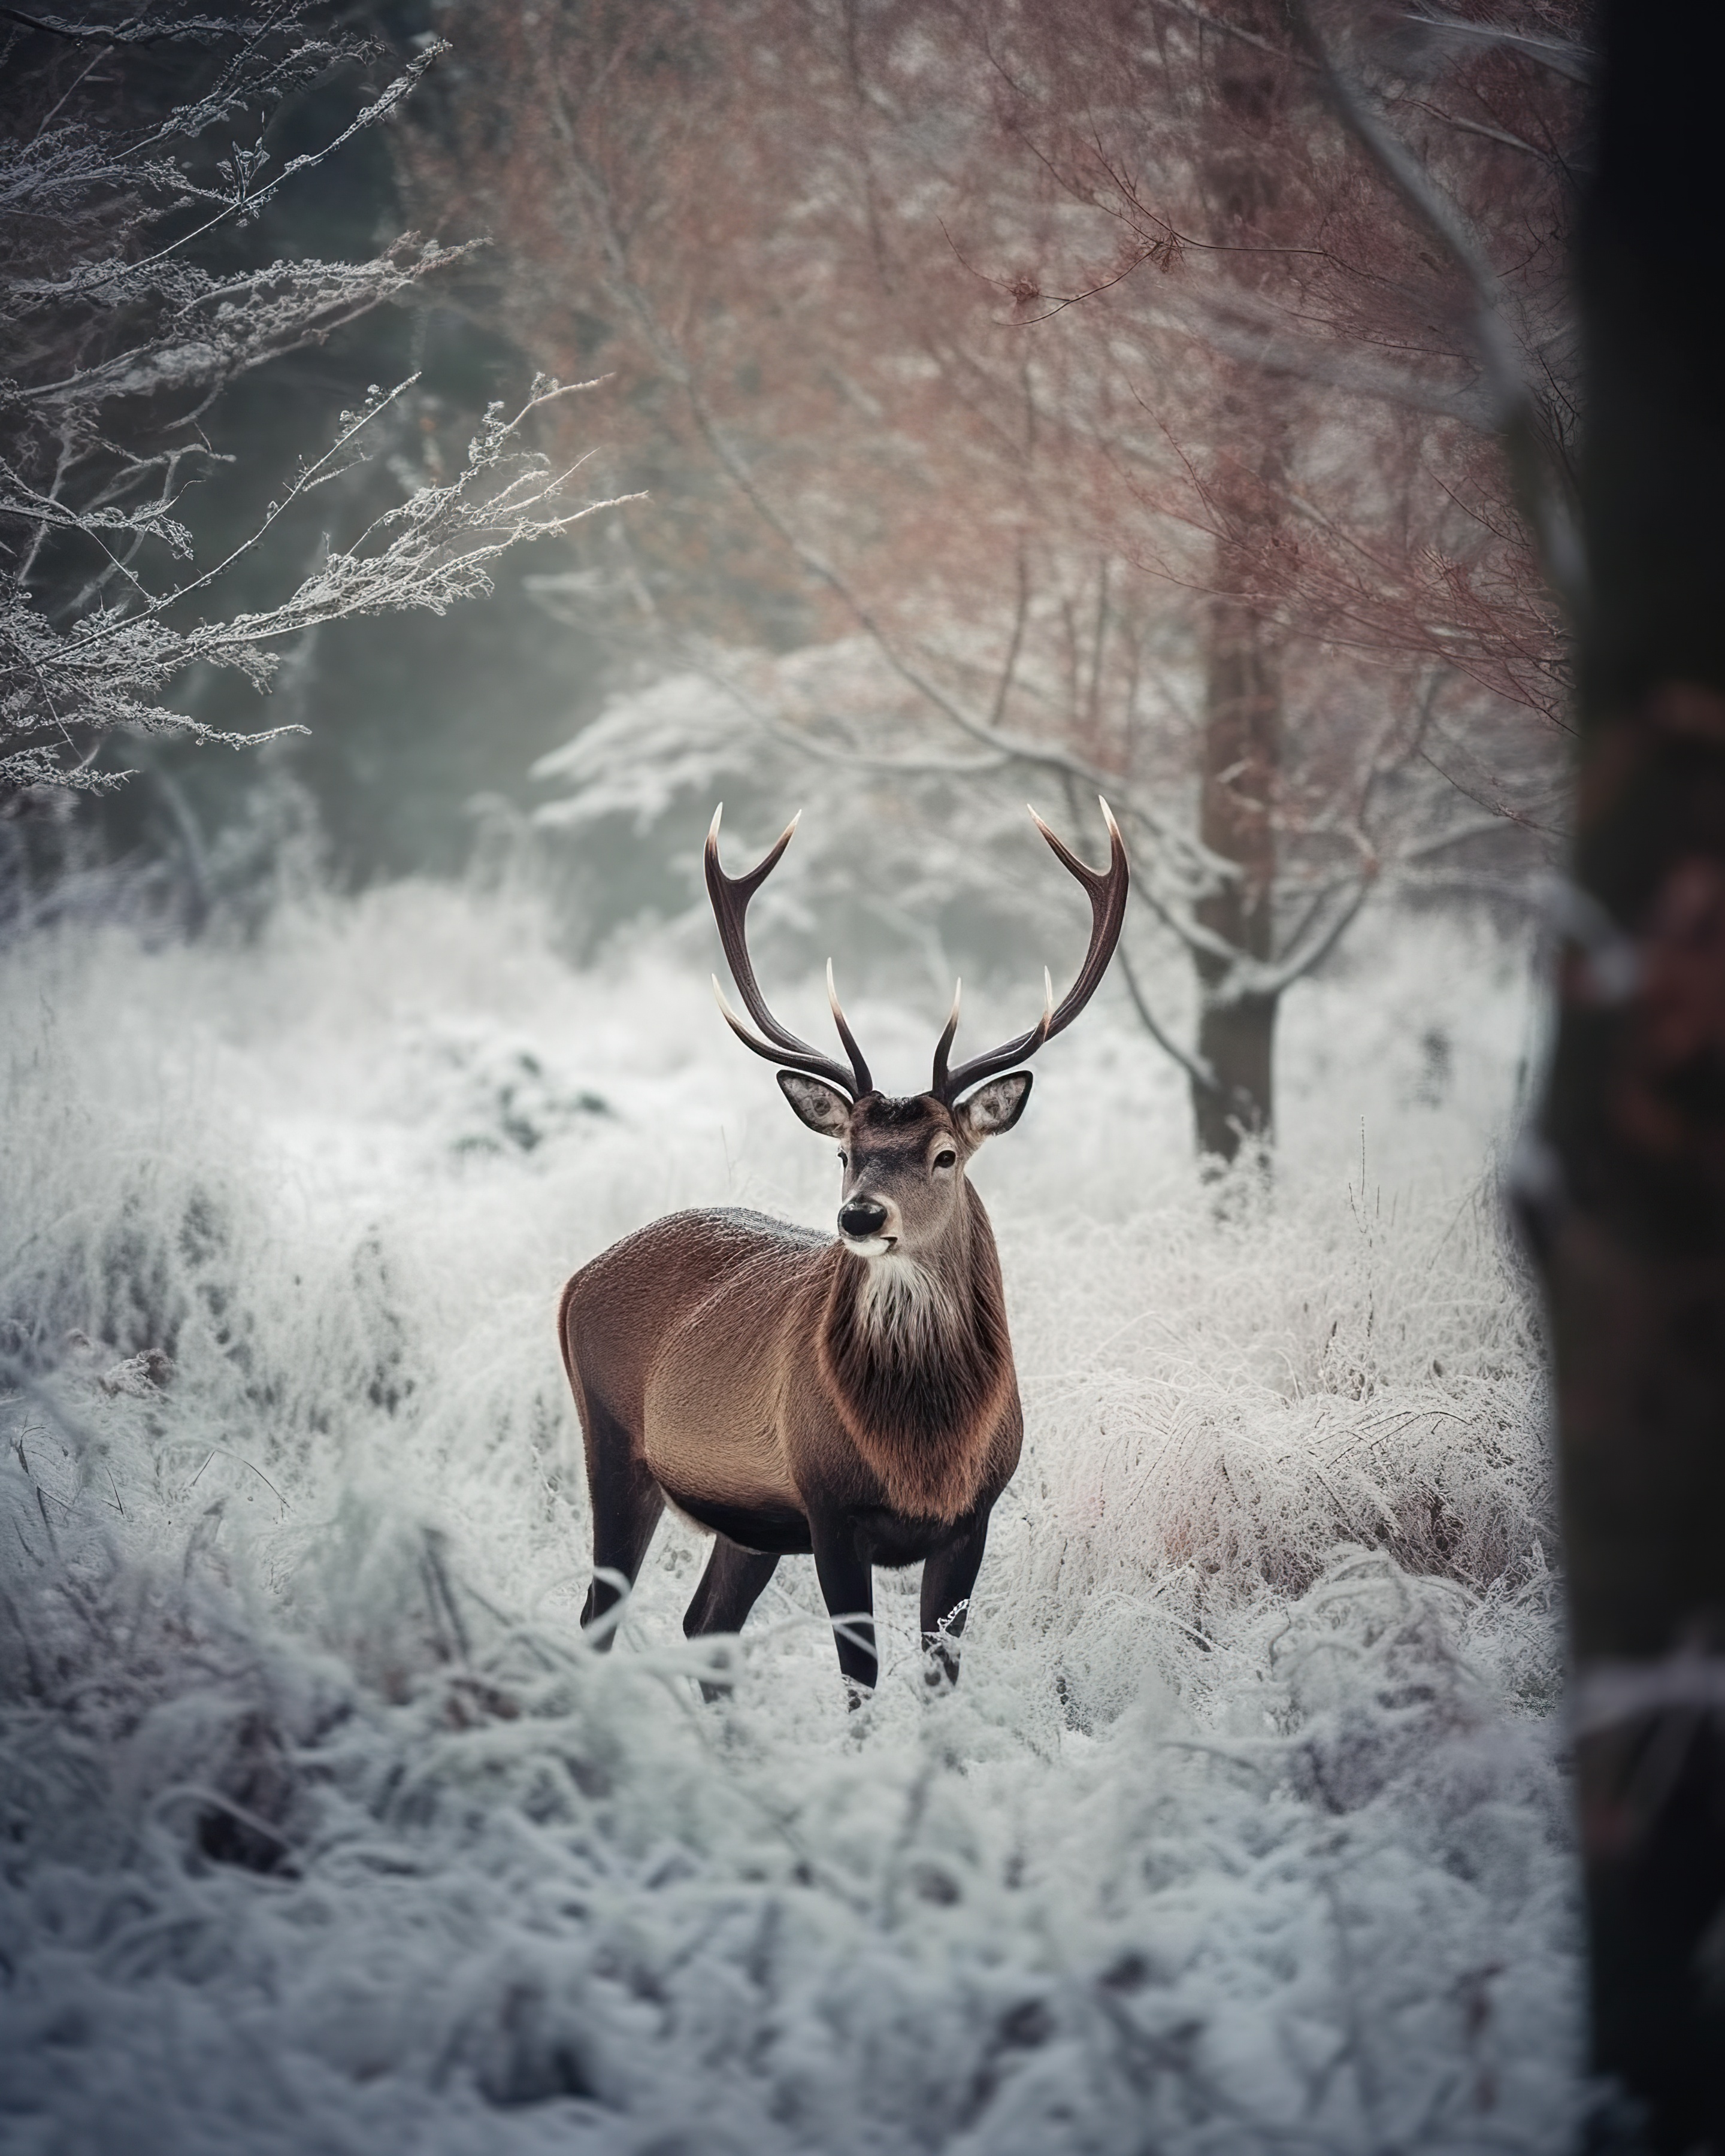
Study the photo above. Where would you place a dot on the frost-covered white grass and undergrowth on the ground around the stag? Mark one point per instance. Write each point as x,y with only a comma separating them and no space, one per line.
325,1832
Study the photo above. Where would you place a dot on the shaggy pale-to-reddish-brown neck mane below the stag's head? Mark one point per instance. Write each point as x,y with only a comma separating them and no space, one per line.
920,1366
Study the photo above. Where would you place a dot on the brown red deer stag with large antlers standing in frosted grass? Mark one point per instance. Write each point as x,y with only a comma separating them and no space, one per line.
797,1394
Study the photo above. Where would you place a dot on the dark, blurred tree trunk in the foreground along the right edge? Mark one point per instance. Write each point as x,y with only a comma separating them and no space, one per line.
1627,1193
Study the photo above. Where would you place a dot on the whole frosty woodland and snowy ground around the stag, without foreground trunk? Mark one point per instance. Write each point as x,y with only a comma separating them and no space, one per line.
989,402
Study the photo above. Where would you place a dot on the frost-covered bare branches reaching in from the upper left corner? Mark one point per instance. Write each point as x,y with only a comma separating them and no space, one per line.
124,329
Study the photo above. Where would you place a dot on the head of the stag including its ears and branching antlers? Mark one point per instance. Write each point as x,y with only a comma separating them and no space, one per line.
905,1159
